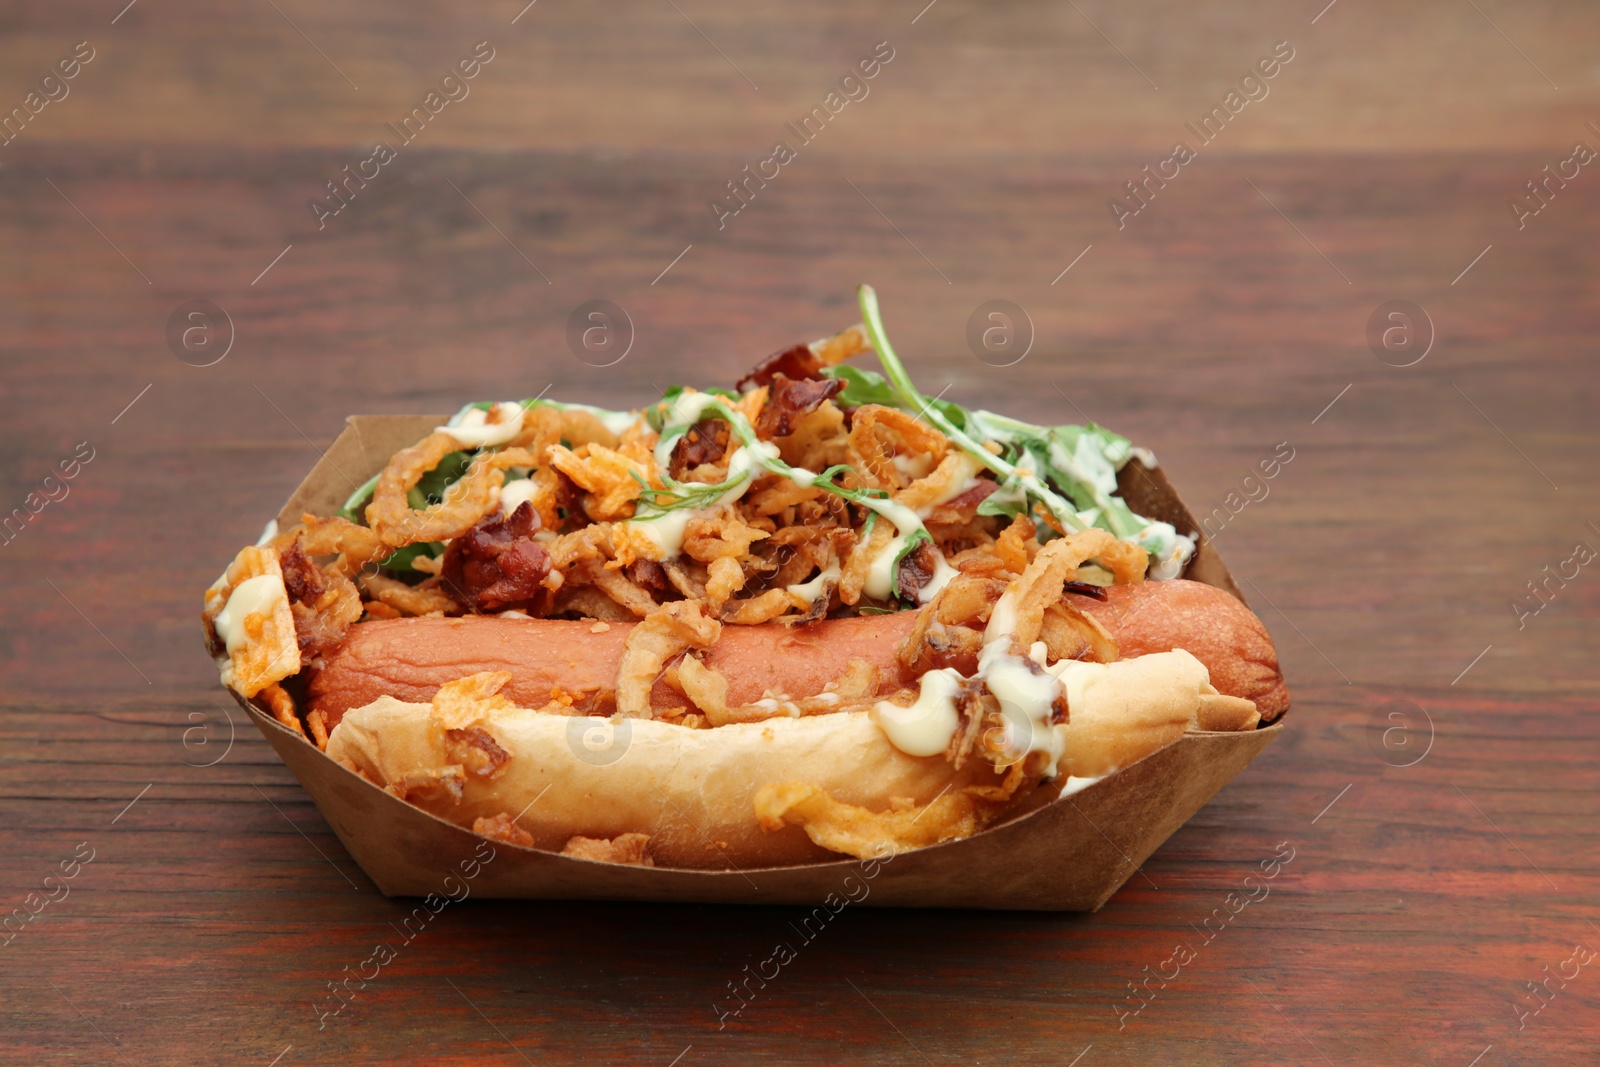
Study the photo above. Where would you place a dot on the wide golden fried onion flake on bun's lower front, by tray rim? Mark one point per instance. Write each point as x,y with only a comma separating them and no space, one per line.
855,831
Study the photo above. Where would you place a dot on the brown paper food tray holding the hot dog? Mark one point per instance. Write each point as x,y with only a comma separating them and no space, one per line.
1071,853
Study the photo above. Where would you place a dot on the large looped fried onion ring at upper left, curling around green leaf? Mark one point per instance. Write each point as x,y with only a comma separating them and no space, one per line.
466,502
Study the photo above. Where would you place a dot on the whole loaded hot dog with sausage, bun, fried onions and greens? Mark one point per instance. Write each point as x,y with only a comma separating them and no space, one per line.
825,615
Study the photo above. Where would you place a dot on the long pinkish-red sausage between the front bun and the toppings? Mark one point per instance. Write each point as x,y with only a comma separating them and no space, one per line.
412,658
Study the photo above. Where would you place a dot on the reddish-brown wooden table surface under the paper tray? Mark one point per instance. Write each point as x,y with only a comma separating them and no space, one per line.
1438,783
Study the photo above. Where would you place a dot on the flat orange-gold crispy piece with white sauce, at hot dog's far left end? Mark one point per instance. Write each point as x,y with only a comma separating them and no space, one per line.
270,650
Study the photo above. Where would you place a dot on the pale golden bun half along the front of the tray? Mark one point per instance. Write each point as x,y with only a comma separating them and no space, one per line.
782,791
